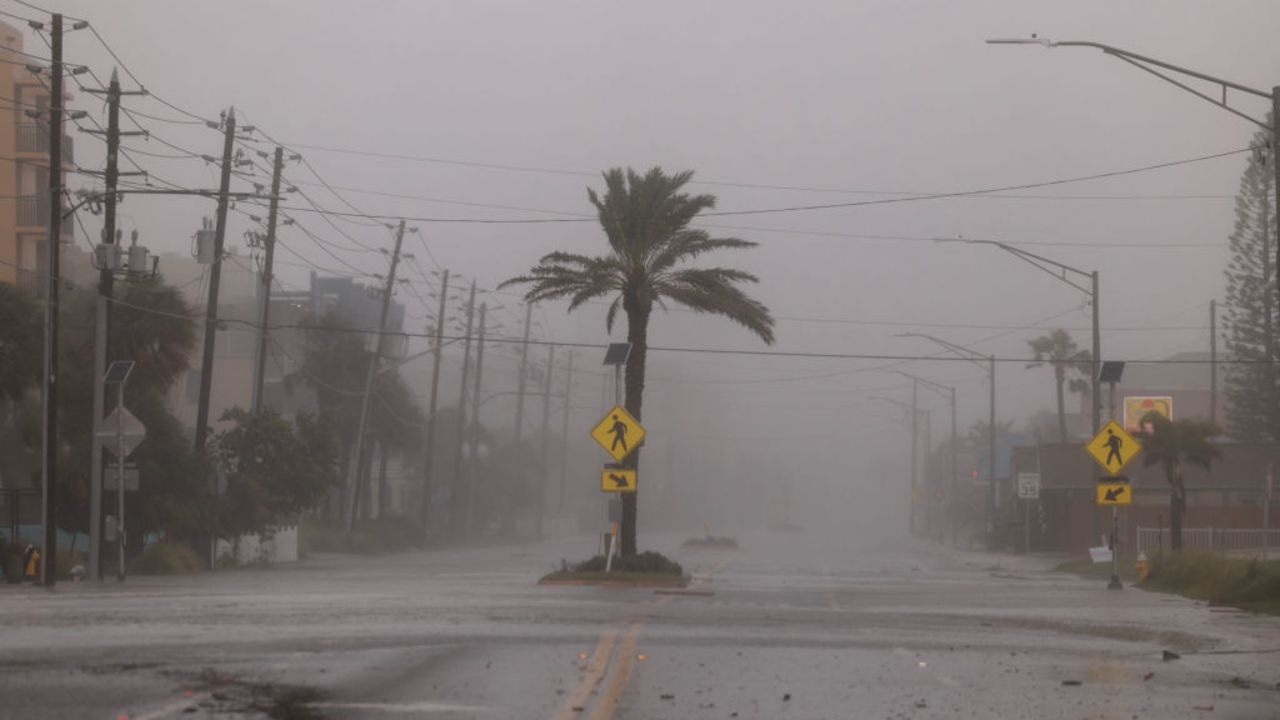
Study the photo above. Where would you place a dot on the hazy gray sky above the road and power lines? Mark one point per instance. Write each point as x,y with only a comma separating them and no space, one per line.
857,98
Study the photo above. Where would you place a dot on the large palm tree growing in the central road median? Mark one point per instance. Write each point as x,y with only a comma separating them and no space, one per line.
646,221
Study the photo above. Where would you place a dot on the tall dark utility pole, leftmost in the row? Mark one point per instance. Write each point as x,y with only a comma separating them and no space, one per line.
49,553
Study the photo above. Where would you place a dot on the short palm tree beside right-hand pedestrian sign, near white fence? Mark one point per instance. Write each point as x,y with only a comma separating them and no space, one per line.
1172,444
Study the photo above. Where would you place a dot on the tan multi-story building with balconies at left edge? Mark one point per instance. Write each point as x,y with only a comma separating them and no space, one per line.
25,167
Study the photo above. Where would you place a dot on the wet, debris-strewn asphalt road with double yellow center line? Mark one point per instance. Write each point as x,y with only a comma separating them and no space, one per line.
789,627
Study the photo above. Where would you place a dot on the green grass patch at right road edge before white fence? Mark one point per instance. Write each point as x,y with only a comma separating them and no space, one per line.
1241,582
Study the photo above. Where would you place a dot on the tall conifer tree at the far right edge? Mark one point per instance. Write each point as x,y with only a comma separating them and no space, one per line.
1251,322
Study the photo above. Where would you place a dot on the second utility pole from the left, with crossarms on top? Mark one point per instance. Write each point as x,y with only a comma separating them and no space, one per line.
108,259
